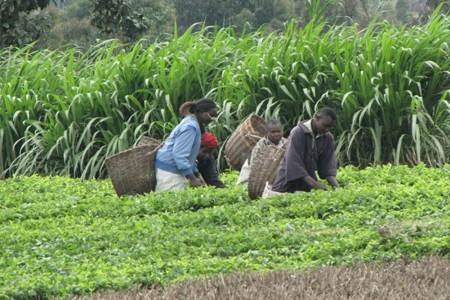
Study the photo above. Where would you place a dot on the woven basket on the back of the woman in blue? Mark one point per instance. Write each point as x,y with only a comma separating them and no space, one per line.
133,171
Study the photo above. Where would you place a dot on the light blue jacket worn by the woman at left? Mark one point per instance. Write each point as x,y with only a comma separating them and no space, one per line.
180,150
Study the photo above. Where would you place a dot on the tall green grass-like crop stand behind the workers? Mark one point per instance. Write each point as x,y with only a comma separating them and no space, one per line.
64,112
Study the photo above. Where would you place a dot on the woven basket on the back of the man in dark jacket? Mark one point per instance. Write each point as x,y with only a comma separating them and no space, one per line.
264,168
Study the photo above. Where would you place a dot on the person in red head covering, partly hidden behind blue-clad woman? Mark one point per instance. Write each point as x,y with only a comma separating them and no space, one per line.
206,163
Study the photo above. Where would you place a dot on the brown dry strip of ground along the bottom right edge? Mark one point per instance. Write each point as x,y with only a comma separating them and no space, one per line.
428,278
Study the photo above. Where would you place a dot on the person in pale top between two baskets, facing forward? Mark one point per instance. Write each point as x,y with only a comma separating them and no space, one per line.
274,137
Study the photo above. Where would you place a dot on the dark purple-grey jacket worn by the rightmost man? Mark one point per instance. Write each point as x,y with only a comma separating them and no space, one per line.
304,156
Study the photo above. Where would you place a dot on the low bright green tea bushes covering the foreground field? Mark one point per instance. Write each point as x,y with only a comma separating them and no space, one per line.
65,237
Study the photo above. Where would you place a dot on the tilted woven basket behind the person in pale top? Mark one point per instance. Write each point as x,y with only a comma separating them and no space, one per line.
241,142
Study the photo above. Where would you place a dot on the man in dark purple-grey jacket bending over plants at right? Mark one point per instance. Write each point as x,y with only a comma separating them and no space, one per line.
310,148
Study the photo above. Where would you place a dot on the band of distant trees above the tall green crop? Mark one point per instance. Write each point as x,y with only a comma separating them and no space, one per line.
133,19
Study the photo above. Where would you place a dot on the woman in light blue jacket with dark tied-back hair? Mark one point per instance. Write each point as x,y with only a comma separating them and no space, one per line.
175,162
